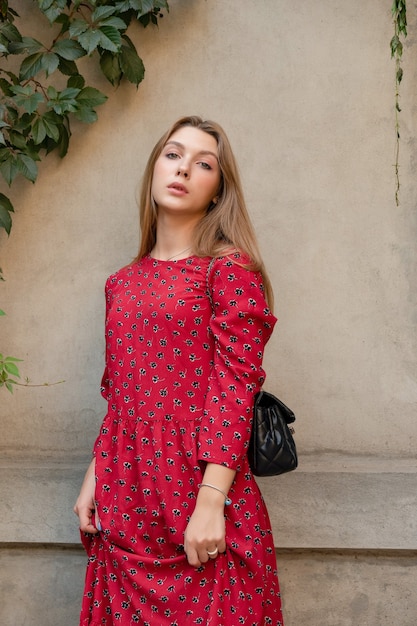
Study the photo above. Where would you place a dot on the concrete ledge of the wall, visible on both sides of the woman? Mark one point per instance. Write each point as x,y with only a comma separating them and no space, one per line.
331,501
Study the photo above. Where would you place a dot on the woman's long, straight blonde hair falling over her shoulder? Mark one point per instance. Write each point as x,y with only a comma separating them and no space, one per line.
226,226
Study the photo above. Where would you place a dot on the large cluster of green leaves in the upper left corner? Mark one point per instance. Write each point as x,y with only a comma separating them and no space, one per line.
35,112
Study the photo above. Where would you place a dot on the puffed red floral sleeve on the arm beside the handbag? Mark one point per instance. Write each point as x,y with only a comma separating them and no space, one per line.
241,325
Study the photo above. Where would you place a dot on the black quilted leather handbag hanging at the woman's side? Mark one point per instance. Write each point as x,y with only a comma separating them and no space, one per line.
272,449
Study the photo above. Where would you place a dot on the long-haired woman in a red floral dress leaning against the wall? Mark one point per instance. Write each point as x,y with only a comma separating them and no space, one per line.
171,516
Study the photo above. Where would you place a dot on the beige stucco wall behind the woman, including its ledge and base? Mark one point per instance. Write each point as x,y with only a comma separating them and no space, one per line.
306,92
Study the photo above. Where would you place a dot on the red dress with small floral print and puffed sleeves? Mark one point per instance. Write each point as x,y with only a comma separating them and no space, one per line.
179,381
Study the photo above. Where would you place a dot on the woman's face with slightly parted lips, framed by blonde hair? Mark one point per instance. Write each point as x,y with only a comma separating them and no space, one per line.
186,175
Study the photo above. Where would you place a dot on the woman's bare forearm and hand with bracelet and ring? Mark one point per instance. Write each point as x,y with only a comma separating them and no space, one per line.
206,529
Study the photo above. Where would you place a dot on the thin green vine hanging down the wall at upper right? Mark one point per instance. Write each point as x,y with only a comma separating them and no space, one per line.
399,14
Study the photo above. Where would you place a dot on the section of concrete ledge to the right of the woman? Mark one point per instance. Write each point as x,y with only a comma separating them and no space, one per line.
335,501
